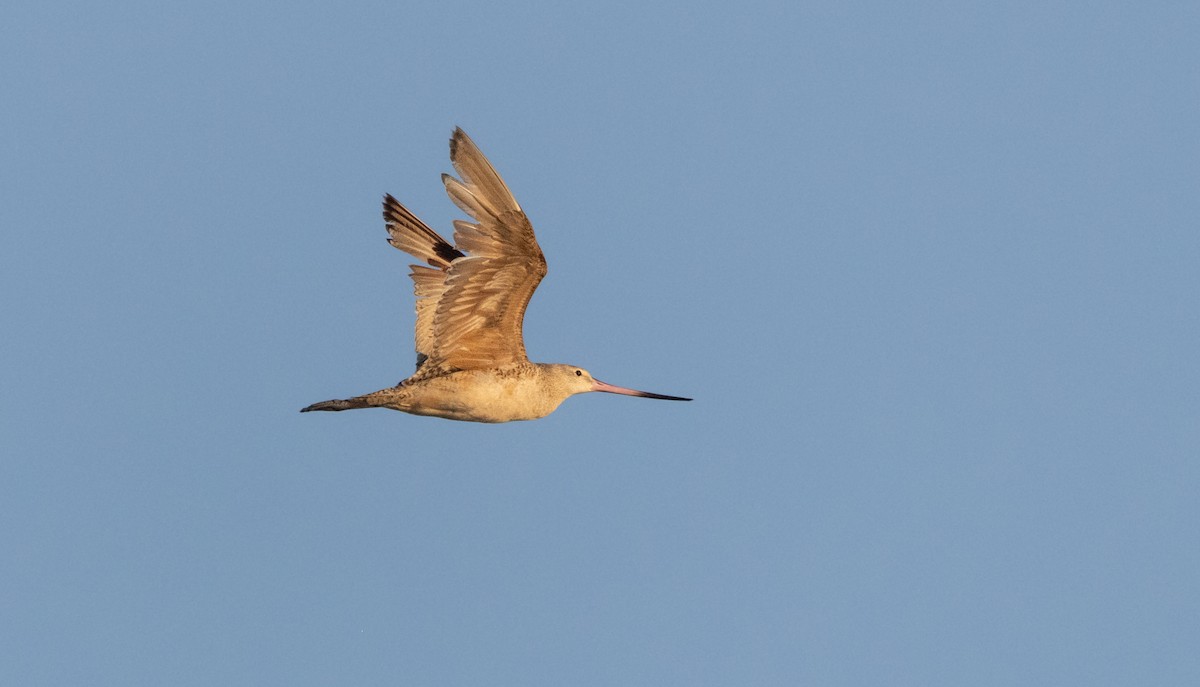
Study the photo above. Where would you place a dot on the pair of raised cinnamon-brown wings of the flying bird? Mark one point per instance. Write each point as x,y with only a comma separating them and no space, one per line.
471,309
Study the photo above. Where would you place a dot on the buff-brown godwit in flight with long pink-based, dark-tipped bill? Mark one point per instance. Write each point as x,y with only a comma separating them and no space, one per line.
471,303
